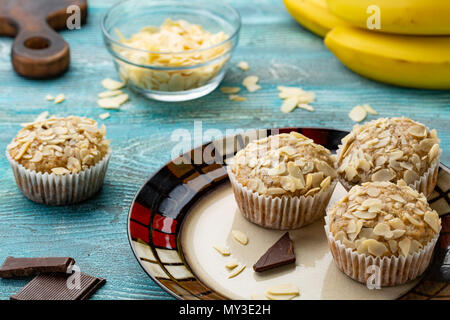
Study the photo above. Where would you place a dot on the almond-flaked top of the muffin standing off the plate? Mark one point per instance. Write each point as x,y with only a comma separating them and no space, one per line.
59,145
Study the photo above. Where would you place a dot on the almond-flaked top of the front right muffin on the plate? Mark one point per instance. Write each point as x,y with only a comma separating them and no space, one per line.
383,219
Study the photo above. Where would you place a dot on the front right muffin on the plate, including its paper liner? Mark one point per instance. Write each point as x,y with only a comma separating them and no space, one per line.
390,226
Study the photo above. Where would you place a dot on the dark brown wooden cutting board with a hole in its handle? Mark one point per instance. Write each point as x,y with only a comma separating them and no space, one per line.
38,51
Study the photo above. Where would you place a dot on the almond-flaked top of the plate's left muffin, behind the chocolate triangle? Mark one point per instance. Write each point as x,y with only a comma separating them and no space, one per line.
284,164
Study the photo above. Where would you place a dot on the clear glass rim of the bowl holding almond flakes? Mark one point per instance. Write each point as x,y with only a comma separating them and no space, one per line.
121,2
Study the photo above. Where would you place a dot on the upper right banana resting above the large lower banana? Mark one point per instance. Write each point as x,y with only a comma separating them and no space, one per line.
418,17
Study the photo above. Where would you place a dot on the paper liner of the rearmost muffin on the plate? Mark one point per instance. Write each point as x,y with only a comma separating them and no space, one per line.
425,184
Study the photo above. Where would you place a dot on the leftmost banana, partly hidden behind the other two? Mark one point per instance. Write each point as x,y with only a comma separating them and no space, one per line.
313,15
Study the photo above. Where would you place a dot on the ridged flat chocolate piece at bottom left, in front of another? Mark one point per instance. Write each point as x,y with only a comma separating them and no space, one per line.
58,286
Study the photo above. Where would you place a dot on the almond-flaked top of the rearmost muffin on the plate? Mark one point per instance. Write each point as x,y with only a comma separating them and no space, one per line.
387,149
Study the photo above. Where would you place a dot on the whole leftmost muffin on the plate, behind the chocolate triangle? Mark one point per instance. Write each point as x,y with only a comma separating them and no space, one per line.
283,181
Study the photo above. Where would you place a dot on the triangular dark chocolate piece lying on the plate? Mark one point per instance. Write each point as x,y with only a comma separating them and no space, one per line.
280,254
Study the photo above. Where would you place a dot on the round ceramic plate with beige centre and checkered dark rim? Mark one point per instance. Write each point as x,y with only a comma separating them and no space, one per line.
187,206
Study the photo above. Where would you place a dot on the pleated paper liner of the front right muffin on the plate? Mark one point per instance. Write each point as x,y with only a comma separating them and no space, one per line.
392,270
